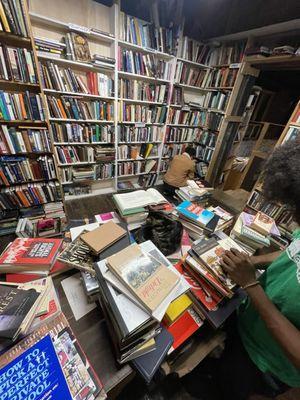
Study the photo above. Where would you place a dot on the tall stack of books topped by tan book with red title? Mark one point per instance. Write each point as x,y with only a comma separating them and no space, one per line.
137,286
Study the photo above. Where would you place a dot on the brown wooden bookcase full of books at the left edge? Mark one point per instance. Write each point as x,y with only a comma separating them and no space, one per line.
28,172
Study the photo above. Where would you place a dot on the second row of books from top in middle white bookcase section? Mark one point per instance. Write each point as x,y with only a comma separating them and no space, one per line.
143,64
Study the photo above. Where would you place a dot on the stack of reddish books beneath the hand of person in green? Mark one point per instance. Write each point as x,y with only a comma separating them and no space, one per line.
210,287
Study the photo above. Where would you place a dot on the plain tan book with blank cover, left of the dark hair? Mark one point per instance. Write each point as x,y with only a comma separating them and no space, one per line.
104,236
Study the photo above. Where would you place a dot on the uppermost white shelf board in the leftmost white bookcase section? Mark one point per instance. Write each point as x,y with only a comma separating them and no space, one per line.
64,26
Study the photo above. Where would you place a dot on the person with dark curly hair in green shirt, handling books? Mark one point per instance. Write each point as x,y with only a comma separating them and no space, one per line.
269,321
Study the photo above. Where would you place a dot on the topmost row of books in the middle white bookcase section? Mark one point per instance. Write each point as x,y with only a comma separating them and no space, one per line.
146,34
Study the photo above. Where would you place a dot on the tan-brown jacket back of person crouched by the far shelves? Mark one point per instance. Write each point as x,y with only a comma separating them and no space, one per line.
181,168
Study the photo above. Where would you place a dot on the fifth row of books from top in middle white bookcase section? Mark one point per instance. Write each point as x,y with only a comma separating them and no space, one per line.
129,134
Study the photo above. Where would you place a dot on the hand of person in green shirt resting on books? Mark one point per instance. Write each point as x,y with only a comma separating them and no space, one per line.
238,266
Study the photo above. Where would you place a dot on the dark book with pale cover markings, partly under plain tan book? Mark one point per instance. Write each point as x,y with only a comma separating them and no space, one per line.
78,255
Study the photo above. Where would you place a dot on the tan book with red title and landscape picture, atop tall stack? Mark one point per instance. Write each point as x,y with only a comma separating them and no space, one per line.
146,277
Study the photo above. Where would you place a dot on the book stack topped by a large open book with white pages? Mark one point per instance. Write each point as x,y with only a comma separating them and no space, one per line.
132,207
